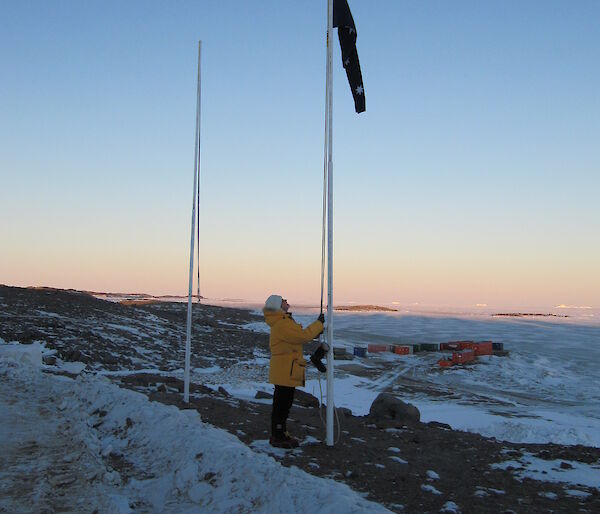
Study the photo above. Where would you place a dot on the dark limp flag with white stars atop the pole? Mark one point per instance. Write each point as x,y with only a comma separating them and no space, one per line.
342,19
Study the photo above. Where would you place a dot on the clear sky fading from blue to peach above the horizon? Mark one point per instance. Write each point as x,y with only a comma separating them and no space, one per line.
471,178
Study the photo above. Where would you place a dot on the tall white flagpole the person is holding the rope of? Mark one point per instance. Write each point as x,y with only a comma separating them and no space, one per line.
328,124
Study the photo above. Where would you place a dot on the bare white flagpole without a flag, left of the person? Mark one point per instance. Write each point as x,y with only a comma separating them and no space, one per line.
188,339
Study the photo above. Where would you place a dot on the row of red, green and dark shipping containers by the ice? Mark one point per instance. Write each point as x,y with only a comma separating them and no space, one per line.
462,351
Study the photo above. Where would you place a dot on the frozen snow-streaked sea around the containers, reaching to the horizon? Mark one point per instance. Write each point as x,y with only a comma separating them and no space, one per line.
546,390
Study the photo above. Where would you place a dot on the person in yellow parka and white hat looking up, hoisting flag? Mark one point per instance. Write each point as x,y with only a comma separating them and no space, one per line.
286,369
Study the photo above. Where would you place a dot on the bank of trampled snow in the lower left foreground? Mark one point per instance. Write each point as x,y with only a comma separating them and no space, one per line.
86,444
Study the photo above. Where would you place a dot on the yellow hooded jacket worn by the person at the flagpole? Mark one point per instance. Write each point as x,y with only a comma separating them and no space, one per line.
286,340
